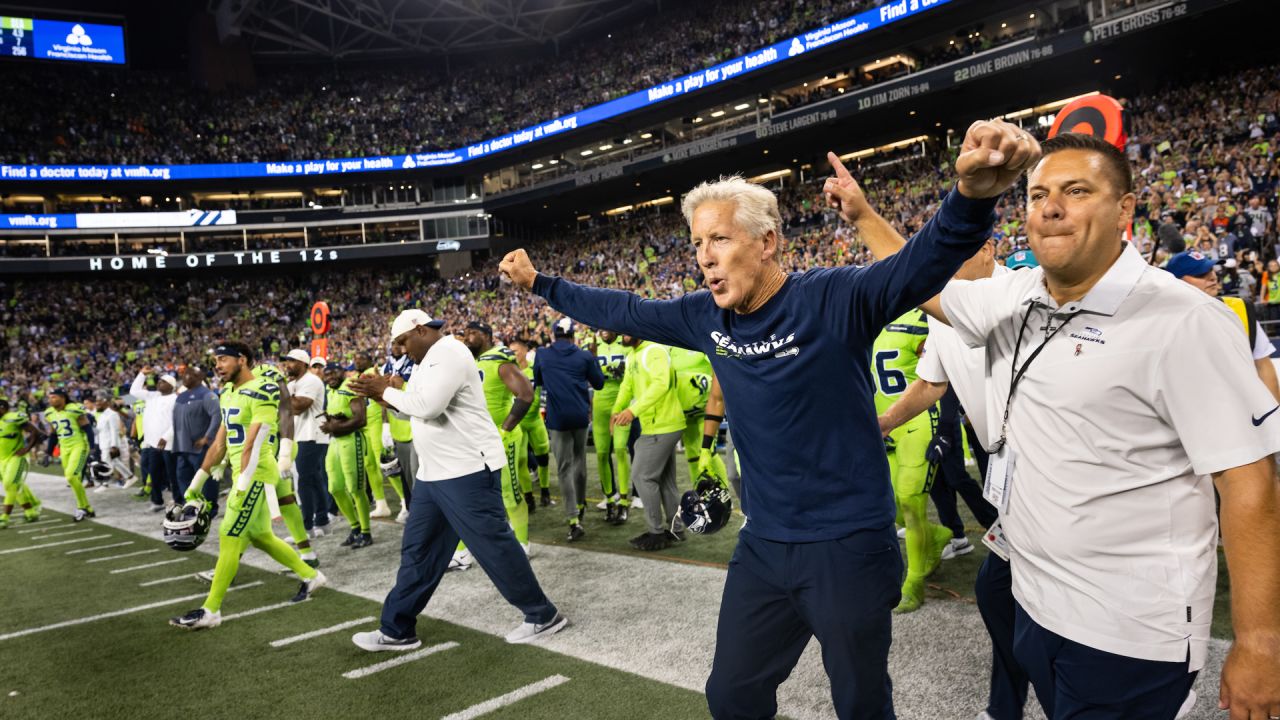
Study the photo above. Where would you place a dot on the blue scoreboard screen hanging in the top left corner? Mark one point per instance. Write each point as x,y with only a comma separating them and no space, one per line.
62,40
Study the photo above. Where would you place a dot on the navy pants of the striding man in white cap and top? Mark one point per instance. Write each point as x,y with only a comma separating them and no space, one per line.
442,512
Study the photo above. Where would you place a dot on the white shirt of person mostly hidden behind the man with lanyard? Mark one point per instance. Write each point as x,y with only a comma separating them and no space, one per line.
950,361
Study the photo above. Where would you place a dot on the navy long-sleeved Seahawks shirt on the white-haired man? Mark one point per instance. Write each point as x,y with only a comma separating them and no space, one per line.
797,372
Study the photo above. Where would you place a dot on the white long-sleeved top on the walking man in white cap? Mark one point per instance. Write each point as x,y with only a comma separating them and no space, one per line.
454,434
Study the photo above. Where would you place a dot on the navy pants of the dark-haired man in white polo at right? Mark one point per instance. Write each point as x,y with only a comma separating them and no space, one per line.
1076,682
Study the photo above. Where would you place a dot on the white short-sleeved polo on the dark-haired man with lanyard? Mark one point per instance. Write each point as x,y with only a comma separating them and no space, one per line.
1116,430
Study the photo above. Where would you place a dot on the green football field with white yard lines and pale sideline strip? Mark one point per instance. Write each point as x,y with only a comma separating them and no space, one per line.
84,630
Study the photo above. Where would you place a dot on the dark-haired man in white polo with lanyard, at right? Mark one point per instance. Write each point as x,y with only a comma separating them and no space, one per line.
1114,394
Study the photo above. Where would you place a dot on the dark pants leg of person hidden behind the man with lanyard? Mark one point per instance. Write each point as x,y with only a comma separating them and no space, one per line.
995,593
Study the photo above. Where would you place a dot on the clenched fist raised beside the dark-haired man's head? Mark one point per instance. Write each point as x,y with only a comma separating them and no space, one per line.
993,157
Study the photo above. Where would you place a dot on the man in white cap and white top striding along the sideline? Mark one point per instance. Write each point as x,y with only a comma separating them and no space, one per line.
460,496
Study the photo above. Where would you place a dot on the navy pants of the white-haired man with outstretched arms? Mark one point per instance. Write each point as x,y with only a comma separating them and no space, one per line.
779,595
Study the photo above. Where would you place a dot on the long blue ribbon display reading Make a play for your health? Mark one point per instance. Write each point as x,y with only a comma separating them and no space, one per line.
766,57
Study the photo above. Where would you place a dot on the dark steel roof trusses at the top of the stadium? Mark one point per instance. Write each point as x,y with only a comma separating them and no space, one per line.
331,30
